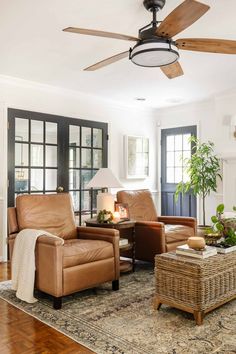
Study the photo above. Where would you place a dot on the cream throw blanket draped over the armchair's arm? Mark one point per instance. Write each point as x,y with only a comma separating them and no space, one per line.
23,263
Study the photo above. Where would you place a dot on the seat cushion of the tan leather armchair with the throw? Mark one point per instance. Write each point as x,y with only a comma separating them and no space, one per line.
79,251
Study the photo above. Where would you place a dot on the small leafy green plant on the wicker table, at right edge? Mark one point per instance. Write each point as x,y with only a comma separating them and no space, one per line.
223,228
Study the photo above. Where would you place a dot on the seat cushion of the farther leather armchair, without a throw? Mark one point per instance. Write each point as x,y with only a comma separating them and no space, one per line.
175,233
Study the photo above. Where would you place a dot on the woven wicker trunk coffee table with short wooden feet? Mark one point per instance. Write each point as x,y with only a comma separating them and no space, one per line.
195,285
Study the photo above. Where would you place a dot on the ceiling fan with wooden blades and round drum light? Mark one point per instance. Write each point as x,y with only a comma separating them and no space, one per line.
155,45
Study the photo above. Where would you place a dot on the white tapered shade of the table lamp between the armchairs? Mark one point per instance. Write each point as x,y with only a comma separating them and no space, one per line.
104,178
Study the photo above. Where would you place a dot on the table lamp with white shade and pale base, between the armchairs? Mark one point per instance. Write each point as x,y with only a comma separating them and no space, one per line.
104,179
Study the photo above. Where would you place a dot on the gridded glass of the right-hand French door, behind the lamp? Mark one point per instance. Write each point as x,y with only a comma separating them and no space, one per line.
87,153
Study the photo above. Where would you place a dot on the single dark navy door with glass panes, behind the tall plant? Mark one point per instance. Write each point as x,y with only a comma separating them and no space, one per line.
175,147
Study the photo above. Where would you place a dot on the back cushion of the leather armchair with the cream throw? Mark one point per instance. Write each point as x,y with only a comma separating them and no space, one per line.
50,212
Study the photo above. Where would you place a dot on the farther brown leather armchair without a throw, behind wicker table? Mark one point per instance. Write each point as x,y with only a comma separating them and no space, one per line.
154,234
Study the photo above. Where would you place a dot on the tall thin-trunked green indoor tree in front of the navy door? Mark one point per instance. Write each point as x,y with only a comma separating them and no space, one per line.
203,169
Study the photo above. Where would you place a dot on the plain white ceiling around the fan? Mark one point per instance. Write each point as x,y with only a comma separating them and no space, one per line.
33,47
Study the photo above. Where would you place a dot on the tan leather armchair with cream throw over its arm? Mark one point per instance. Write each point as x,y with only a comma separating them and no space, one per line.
88,257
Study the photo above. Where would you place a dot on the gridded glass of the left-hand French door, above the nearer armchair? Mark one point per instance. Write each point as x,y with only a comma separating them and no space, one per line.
35,167
